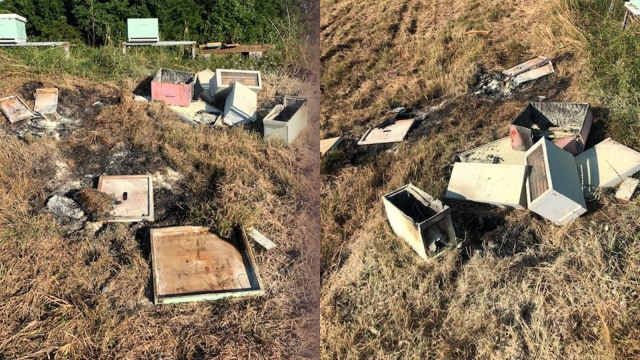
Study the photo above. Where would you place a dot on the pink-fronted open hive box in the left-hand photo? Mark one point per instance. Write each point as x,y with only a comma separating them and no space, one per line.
173,87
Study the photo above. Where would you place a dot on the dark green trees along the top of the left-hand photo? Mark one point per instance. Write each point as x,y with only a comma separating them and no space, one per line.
99,22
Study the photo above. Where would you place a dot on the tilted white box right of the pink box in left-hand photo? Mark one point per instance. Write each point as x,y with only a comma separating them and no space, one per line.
241,105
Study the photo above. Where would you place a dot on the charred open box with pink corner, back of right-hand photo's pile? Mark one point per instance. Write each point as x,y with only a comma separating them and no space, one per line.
566,124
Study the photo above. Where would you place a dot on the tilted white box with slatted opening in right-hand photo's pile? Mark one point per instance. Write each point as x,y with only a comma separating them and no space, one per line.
553,185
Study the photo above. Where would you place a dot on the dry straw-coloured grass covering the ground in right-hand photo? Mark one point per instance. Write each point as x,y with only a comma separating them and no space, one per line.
518,287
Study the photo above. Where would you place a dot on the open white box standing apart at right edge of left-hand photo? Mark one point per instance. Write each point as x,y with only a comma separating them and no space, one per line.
285,122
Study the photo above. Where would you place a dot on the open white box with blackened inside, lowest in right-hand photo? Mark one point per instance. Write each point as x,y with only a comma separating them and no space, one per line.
420,220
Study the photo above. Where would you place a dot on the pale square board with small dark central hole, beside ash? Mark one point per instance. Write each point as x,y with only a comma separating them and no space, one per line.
133,194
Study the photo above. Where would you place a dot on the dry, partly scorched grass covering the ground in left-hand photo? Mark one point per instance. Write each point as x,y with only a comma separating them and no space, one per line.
86,293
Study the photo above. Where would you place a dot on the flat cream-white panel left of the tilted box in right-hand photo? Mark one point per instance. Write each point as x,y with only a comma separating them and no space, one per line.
495,184
